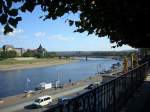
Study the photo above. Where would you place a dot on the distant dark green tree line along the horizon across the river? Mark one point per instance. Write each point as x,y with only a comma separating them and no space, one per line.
39,54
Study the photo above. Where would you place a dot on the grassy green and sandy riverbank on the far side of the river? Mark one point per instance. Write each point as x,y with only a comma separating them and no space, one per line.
13,64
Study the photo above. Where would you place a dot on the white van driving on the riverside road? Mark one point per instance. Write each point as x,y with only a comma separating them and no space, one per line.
42,101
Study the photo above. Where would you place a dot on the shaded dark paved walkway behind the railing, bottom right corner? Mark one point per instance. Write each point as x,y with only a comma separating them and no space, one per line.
140,102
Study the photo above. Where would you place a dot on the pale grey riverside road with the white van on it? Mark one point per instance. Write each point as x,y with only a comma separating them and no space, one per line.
21,105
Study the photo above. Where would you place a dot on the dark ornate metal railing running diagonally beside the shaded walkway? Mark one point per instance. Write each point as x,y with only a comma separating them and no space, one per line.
108,97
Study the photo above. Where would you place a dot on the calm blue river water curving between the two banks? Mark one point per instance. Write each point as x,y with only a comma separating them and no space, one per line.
15,81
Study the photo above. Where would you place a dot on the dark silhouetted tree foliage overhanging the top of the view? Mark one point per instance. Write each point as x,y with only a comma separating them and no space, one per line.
123,21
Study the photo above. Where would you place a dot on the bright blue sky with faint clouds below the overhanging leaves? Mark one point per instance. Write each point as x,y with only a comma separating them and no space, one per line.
54,35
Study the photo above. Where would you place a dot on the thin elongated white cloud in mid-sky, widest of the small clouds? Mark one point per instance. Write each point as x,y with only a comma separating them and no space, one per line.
60,37
